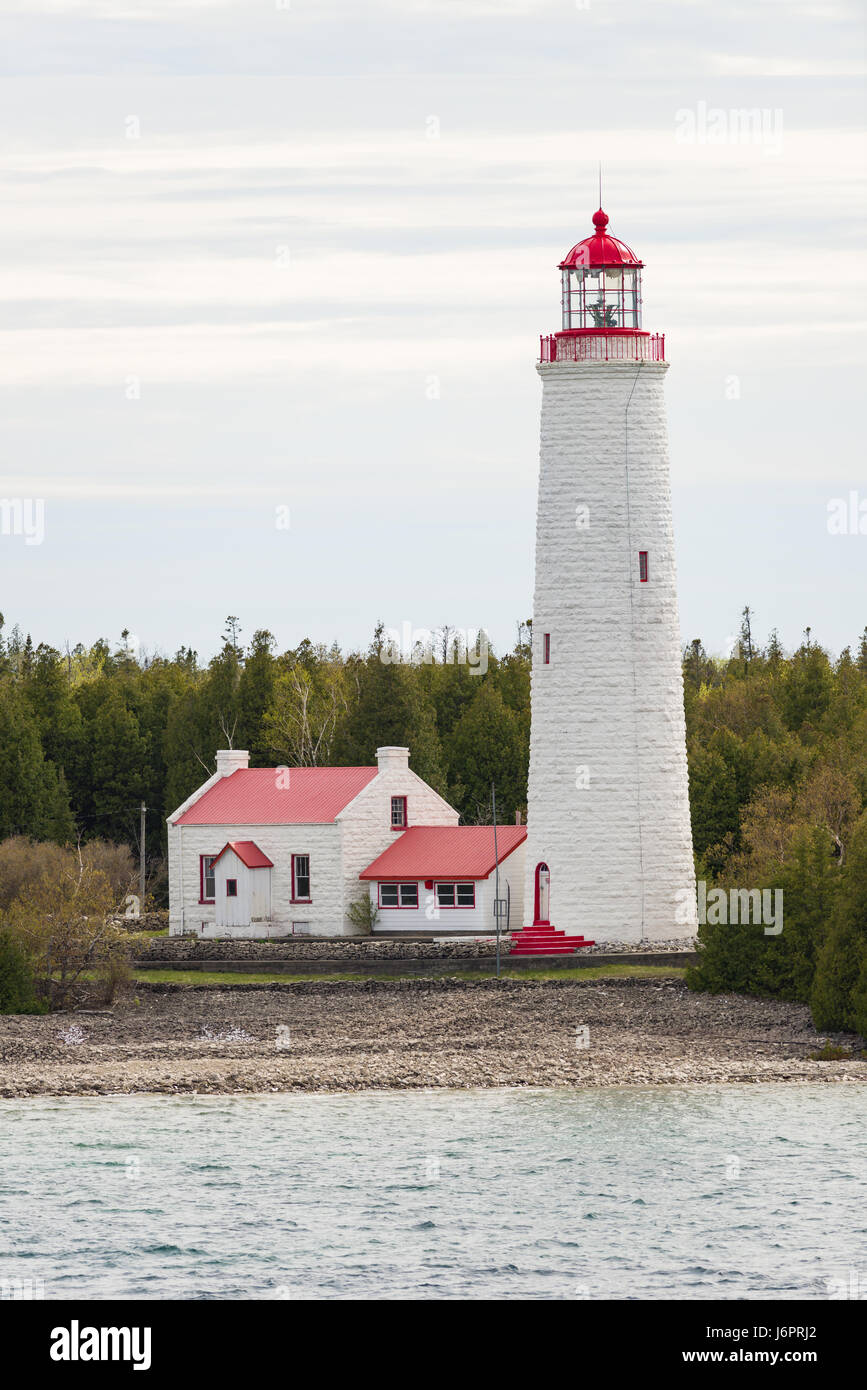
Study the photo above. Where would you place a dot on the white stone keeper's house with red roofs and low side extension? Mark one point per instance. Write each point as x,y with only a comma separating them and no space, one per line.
279,851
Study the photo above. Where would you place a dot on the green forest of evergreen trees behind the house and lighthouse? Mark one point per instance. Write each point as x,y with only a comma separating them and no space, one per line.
777,762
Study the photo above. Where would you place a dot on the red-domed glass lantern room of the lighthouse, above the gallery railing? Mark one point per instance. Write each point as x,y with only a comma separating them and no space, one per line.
601,284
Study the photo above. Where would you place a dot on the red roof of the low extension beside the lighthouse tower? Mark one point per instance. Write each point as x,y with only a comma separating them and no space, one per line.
445,853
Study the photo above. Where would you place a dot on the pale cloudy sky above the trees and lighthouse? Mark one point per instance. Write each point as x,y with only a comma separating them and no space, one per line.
273,279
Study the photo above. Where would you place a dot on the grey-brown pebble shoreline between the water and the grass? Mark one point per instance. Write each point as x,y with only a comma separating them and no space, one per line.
373,1035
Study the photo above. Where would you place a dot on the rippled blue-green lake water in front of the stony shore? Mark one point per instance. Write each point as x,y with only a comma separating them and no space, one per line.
682,1192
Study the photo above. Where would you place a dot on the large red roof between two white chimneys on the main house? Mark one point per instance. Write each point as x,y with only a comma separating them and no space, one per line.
279,797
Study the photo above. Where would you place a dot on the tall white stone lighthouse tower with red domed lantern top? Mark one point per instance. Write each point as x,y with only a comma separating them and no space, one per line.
609,846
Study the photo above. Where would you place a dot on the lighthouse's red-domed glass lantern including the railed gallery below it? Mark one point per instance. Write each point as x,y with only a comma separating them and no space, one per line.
602,304
